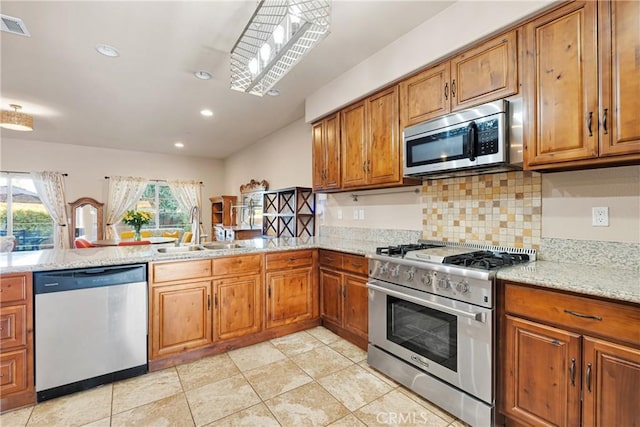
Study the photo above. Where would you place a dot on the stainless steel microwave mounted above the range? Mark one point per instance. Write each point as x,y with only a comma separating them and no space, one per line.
483,139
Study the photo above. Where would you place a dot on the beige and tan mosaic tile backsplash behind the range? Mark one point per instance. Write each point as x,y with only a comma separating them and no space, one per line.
502,209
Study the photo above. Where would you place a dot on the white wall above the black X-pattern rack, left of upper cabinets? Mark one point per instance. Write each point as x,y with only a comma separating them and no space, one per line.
282,158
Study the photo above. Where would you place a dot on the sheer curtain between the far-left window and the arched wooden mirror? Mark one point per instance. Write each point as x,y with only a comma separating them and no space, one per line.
50,189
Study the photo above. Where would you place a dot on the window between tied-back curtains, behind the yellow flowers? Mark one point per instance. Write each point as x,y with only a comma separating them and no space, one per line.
158,199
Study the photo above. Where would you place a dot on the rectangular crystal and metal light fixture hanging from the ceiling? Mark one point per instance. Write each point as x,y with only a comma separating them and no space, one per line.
278,35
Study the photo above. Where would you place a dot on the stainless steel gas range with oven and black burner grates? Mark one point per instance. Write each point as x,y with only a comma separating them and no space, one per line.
432,322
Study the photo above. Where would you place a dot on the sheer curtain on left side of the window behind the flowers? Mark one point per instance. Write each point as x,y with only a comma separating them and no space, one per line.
124,192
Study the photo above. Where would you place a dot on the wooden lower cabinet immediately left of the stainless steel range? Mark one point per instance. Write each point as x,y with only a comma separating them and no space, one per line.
344,297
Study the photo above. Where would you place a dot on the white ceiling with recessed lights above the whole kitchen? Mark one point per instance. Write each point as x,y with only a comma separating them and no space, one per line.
148,98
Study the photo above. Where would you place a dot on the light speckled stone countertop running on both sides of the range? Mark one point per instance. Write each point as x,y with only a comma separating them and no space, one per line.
613,283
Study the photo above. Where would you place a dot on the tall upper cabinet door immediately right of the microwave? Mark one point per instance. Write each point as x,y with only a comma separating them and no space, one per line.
561,86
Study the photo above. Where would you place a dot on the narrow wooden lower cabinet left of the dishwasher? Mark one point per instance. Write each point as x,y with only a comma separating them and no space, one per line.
17,379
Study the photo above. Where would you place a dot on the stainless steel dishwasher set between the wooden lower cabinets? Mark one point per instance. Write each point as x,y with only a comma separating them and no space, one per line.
90,327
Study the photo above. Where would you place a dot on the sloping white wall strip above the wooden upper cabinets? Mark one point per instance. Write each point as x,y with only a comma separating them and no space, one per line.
459,25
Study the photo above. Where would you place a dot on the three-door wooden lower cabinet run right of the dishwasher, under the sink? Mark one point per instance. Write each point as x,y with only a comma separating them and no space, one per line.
204,307
